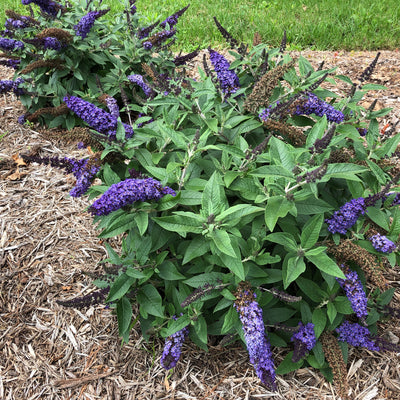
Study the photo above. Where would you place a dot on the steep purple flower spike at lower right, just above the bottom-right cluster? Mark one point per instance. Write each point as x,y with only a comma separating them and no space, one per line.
354,291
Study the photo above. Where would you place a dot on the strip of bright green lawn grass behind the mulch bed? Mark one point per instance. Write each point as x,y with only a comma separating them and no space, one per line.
315,24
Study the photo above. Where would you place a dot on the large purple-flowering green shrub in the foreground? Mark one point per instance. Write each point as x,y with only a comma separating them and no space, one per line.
247,201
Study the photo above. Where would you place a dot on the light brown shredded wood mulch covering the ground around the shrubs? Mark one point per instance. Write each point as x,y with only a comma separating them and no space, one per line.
48,246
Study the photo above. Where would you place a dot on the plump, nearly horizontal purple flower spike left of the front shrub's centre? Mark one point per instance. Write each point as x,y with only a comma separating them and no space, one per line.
126,192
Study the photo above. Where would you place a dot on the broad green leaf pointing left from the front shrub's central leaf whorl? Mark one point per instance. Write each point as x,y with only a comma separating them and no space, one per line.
182,222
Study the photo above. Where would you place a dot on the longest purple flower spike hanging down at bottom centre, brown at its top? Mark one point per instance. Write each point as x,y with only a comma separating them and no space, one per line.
250,314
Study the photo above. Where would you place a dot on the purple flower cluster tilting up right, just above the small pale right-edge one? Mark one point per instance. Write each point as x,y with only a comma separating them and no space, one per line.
347,215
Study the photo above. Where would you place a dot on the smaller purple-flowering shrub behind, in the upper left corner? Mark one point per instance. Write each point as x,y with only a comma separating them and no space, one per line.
76,49
